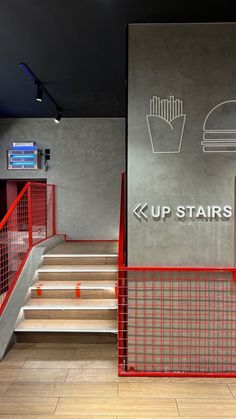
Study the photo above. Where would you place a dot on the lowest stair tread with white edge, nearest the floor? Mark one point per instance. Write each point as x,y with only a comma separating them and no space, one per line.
55,325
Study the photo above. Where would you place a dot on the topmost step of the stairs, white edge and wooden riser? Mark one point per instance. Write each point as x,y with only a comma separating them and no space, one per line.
83,259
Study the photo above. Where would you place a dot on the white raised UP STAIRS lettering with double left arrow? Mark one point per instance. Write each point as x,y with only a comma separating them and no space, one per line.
182,212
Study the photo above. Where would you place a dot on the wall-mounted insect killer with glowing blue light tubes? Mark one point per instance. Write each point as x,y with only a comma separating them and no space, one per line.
23,156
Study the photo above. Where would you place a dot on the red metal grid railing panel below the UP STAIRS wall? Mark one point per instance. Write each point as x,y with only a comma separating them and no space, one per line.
175,321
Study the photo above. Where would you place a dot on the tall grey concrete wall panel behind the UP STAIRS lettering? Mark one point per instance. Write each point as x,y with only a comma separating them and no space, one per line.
197,64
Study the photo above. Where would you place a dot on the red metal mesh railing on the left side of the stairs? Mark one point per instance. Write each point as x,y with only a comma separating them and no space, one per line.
30,220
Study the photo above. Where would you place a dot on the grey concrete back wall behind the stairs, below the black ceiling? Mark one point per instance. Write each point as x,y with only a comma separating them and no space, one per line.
87,158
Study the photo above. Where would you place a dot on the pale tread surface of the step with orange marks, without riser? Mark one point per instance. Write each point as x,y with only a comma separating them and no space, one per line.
71,285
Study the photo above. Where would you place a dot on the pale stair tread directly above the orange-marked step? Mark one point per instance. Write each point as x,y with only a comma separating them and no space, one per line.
77,268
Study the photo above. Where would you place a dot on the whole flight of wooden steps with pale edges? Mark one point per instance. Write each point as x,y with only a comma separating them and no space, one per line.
75,290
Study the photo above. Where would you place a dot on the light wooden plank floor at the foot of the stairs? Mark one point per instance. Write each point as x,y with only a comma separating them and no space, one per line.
79,381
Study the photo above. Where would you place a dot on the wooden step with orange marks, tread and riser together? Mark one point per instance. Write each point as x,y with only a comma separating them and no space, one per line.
74,289
